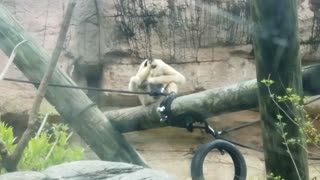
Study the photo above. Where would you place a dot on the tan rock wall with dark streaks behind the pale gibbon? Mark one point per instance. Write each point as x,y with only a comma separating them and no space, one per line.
208,41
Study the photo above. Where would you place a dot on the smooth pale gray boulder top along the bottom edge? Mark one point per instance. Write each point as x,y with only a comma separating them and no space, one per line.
87,170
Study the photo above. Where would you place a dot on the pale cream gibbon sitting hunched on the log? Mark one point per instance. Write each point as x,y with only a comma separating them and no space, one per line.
155,76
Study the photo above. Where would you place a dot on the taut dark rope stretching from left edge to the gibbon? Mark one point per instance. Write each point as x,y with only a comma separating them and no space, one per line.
88,88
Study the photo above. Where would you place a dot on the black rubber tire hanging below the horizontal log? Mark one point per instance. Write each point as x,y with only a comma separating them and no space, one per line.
240,167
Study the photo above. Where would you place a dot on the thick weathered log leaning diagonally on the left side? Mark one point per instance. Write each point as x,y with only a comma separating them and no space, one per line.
76,108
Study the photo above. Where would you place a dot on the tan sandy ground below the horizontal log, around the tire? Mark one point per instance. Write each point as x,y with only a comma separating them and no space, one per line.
171,149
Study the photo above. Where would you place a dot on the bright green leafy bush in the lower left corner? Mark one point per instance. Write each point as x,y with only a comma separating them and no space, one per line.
45,150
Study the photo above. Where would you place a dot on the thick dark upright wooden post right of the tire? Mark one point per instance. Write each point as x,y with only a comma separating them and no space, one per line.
276,46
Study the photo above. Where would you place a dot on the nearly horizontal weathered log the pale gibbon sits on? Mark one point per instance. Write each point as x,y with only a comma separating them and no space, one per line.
237,97
